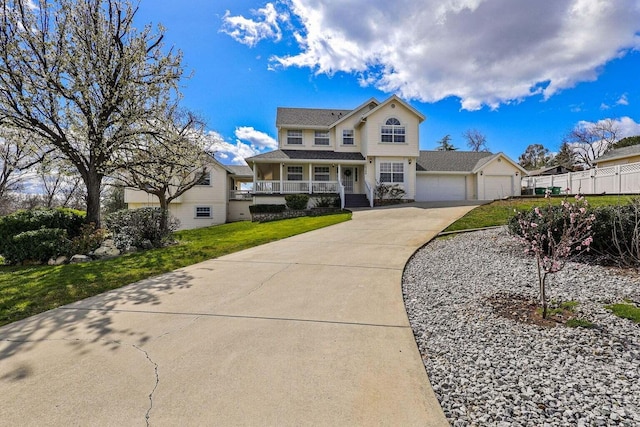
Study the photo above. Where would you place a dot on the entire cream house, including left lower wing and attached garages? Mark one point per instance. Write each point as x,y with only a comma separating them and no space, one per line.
329,153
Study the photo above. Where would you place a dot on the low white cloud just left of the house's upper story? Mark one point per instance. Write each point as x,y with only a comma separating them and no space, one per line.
249,142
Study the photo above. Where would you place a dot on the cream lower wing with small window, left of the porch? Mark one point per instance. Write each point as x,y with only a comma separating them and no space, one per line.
217,199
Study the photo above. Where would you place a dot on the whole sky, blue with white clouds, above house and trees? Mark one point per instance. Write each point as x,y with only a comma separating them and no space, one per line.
519,72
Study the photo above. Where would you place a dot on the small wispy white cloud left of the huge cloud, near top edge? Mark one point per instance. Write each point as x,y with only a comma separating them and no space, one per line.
251,31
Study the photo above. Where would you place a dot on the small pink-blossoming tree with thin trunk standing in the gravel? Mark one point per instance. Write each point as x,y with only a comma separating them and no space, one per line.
553,234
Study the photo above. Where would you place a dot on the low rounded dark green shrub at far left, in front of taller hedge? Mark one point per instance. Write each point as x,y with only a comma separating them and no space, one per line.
38,245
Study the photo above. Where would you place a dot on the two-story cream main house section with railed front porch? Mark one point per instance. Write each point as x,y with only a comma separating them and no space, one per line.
343,152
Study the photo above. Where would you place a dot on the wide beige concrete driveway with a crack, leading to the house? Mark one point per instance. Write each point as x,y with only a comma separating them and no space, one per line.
309,330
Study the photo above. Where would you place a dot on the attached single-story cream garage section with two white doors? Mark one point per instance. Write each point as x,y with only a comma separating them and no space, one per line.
466,175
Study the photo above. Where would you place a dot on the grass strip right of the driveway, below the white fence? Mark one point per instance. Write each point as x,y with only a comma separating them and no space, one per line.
499,212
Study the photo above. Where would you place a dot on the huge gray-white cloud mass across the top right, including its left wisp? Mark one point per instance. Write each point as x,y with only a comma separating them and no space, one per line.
486,52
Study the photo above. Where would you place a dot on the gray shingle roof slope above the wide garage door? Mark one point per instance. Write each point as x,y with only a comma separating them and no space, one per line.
451,161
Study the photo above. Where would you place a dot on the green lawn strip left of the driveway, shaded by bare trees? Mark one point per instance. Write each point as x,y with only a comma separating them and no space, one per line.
28,290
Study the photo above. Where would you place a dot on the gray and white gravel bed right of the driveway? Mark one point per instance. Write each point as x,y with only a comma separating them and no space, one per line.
487,369
